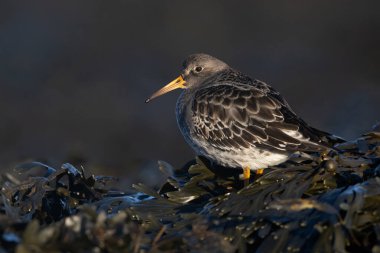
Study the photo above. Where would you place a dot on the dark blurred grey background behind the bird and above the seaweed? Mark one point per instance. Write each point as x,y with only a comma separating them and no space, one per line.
74,74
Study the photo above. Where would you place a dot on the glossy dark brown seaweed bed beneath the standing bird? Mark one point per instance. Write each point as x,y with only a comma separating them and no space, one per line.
312,203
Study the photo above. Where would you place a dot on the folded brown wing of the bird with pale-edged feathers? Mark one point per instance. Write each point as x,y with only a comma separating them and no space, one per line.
230,116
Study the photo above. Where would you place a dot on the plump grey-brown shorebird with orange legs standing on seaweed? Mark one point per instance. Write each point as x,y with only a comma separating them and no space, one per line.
236,121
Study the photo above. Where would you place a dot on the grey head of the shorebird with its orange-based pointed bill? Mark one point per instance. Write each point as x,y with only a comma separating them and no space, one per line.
197,68
